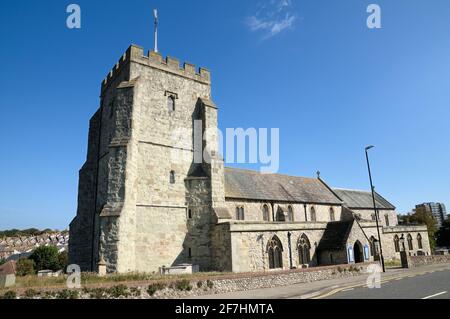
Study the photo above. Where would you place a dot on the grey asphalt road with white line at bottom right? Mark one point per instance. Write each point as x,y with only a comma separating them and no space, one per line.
431,285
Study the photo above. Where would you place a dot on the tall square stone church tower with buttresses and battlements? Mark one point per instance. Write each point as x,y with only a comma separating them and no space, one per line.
140,207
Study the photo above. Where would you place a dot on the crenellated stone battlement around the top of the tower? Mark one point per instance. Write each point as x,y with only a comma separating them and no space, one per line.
155,60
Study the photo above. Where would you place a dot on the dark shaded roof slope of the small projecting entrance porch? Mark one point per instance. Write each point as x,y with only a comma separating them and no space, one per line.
335,236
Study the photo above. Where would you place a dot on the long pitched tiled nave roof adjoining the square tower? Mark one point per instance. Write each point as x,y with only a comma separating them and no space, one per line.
244,184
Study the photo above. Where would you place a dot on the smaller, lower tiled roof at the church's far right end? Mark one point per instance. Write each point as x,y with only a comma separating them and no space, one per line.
355,199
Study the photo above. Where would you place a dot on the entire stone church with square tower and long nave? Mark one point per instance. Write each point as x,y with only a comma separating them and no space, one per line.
139,211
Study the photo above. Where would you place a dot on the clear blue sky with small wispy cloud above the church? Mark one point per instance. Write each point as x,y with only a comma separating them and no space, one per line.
311,68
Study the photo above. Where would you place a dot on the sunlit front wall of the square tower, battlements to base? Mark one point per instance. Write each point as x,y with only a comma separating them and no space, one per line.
165,235
